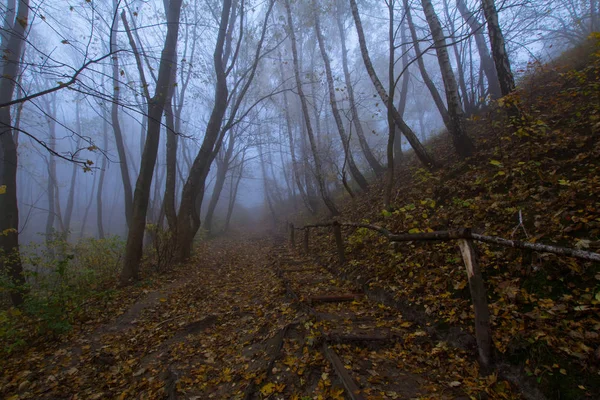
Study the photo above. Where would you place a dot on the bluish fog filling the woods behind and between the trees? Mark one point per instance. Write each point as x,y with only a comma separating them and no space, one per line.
86,86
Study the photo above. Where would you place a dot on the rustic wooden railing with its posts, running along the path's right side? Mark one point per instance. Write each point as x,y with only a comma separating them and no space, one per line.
466,242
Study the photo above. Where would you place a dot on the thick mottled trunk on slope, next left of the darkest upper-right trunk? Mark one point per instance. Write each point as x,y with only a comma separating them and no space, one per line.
462,143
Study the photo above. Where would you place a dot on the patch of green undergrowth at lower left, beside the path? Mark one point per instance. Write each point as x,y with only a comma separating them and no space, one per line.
59,277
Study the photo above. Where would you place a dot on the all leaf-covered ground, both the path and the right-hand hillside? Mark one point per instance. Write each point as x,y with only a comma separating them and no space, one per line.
249,318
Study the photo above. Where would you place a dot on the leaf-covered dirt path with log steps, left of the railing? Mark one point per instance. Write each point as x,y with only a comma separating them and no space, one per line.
248,319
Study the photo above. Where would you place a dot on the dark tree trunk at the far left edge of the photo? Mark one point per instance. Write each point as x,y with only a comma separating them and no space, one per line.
10,260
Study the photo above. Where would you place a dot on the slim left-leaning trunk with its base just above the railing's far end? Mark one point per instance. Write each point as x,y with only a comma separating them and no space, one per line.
318,167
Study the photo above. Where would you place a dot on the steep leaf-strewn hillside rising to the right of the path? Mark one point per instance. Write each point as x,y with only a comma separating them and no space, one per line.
542,170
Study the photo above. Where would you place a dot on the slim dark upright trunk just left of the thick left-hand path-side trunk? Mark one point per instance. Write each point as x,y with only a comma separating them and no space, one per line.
116,125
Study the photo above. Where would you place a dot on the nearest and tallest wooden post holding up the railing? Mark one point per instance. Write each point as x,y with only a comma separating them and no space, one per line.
483,331
